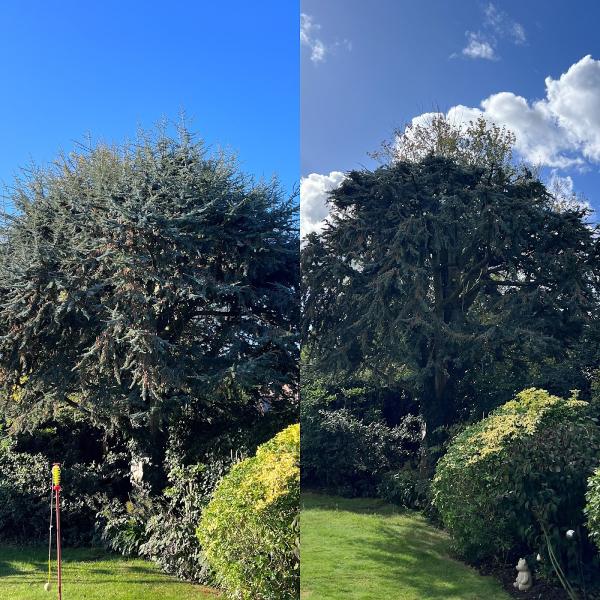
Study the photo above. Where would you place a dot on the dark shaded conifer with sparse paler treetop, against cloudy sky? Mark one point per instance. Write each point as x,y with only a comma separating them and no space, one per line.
445,260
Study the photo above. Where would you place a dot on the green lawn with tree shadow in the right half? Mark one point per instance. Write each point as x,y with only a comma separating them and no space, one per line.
366,550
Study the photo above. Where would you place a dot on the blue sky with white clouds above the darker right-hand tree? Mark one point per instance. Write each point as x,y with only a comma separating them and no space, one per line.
368,67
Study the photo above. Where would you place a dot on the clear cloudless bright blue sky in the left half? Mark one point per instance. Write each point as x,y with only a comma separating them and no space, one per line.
69,69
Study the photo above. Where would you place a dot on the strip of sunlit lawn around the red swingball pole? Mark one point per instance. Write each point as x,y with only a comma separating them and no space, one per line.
90,574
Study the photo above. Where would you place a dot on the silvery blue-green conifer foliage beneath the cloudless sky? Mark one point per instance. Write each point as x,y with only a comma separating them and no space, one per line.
143,280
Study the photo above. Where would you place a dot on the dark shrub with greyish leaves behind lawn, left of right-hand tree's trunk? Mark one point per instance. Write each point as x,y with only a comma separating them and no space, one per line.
349,456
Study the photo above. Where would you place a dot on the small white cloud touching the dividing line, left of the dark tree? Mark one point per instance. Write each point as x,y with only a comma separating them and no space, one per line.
314,189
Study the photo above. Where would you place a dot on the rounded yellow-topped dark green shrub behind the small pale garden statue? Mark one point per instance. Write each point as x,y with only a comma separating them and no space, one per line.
515,482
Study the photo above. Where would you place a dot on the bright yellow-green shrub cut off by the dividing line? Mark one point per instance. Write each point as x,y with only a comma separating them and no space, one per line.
249,531
